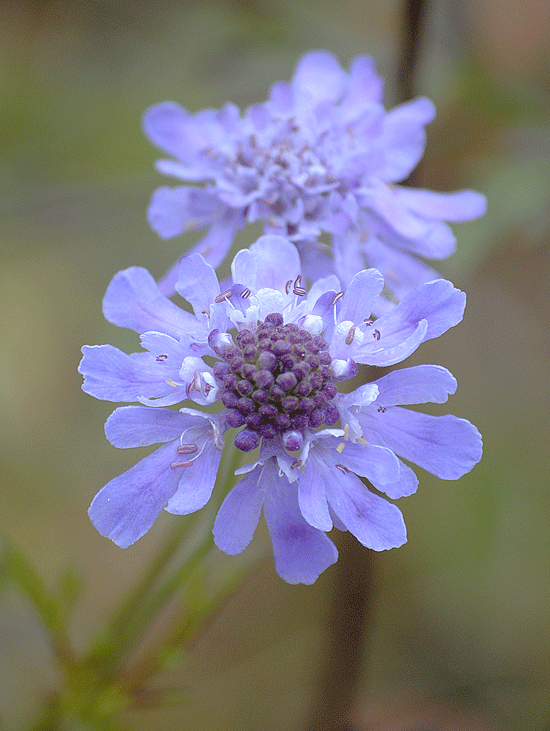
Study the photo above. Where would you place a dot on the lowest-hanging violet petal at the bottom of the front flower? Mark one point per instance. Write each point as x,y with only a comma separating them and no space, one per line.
301,552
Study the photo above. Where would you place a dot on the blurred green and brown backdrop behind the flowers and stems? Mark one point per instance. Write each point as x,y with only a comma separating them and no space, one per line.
461,633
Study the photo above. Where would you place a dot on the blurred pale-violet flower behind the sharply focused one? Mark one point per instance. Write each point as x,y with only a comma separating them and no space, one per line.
320,155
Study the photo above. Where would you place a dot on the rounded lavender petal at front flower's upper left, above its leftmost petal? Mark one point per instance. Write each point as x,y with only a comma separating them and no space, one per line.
133,300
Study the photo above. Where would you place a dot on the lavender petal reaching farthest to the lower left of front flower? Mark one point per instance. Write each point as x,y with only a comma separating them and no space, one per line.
127,506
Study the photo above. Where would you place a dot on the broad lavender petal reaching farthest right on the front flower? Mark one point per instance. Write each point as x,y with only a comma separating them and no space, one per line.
446,446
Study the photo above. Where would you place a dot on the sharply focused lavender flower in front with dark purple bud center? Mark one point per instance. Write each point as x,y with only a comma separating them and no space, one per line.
268,356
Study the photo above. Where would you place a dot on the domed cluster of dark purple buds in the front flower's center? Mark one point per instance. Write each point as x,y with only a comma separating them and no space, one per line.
276,380
